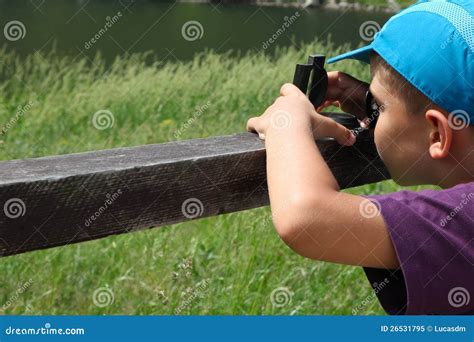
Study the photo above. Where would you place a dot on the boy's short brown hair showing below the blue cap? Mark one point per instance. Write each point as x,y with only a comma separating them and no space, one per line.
417,102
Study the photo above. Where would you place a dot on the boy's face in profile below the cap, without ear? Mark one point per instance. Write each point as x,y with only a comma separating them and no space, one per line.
401,137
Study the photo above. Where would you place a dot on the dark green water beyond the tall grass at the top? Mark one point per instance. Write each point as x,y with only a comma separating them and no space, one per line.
133,26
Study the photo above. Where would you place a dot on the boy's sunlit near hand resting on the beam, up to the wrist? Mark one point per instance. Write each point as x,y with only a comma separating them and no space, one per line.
293,111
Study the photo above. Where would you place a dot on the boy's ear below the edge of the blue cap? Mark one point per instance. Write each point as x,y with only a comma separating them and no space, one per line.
441,133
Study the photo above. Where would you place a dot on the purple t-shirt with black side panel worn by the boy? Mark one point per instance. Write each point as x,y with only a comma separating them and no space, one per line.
433,233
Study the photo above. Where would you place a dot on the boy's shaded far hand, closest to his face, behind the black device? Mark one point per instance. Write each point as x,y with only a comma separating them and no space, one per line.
346,92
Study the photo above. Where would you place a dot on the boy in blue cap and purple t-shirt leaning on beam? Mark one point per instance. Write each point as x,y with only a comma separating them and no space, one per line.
419,244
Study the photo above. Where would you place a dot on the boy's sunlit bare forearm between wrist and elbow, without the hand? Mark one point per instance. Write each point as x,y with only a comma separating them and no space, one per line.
299,180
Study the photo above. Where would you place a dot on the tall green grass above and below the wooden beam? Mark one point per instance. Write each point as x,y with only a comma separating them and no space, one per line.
238,257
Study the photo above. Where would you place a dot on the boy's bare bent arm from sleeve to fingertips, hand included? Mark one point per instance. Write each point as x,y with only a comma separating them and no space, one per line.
309,212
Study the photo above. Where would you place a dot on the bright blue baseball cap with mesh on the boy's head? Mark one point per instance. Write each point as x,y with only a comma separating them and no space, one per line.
431,44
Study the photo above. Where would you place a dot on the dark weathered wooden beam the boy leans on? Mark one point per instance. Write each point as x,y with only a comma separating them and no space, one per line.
59,200
